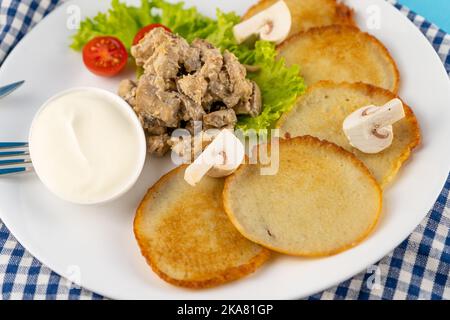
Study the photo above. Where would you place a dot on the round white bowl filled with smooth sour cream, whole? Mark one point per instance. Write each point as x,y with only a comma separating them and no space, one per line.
87,145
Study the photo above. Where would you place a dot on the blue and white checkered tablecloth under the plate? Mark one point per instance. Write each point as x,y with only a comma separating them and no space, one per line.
418,269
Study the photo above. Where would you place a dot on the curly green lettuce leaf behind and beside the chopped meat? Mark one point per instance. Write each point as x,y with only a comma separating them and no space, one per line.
280,85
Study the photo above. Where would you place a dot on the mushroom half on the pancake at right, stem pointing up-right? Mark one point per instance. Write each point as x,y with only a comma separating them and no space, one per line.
369,129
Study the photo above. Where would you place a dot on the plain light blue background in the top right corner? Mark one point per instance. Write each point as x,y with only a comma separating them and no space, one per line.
436,11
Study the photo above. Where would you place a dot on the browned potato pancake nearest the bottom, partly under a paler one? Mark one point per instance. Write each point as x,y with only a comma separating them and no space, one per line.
186,237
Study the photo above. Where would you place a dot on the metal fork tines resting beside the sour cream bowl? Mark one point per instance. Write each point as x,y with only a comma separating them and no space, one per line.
14,158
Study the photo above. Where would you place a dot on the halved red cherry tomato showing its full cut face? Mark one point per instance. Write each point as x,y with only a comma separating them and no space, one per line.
105,56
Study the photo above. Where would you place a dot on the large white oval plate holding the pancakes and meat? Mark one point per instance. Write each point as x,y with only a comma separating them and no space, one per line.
98,241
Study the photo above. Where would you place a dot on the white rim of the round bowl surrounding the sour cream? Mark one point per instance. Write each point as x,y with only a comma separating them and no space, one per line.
140,154
